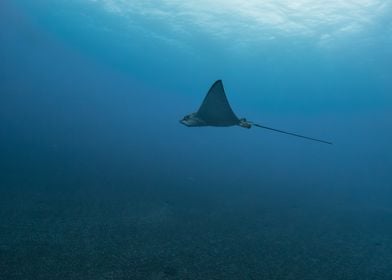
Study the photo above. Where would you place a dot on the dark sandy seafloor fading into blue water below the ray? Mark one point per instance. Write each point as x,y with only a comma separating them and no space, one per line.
94,235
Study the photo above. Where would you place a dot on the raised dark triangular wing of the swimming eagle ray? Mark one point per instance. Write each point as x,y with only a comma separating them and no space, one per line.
215,109
